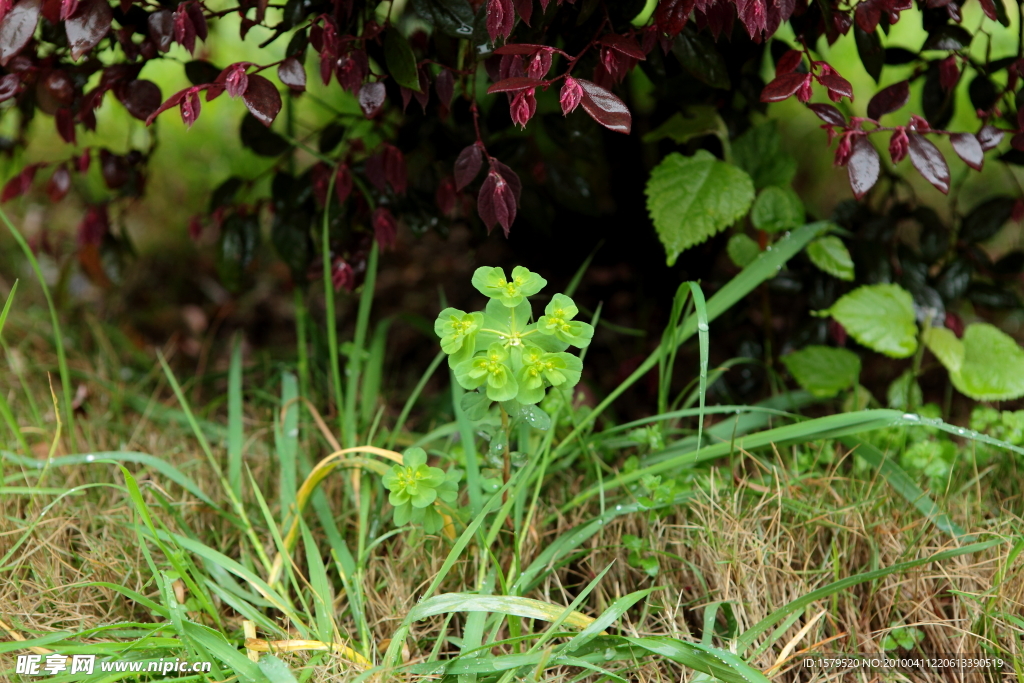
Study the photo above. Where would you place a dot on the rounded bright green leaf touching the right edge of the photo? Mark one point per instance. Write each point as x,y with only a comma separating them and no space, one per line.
994,365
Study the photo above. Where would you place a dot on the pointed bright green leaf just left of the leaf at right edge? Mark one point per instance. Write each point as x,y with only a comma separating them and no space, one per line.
881,318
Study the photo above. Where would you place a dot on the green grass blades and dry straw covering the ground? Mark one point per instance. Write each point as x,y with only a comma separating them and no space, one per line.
250,534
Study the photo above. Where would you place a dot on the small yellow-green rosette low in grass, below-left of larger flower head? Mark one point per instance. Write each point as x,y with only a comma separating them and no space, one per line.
416,489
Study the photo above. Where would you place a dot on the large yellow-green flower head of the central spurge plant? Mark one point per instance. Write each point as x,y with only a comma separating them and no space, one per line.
502,352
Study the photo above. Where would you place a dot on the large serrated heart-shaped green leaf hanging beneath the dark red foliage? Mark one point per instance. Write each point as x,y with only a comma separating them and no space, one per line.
692,199
